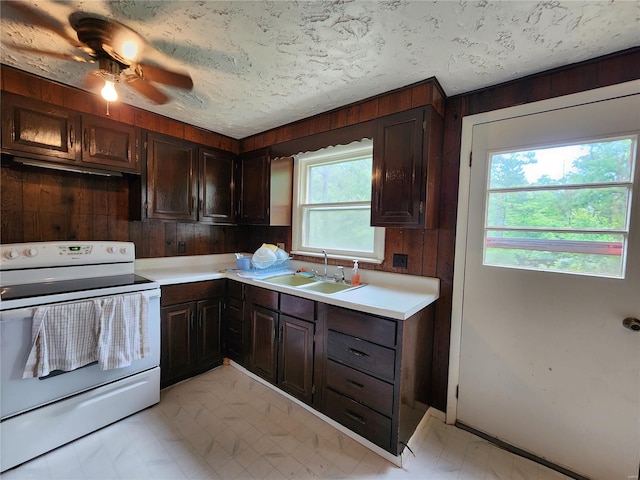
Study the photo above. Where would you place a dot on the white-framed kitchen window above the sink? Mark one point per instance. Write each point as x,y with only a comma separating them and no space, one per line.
332,196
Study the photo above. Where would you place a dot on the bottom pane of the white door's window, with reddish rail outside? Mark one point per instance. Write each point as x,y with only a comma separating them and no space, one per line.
591,254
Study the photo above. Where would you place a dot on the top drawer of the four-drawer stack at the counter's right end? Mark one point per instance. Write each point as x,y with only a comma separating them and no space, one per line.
362,325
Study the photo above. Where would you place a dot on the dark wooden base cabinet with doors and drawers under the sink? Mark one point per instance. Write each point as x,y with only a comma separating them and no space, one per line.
371,374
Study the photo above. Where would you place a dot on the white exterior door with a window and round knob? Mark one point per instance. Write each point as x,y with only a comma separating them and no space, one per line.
546,364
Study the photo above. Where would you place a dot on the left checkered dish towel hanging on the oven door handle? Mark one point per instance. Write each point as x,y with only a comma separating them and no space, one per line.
63,338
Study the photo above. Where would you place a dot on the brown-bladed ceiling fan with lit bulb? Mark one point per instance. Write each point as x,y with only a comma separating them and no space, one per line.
115,48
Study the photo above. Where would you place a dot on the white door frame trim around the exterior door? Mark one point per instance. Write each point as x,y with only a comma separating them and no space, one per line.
468,123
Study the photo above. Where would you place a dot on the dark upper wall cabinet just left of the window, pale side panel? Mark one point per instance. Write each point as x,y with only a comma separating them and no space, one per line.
265,189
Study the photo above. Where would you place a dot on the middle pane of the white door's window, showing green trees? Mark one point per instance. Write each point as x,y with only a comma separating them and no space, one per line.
581,208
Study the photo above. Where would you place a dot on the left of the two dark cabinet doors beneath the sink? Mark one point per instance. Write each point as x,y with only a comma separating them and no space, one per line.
262,357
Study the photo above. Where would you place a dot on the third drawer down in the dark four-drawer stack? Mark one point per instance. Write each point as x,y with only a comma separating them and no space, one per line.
361,387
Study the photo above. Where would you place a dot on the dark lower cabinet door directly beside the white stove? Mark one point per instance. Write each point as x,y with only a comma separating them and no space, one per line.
177,356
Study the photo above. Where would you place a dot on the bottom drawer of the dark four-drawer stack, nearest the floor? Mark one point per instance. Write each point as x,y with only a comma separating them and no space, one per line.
358,418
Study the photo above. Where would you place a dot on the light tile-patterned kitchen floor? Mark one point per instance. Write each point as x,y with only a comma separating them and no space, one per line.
226,425
